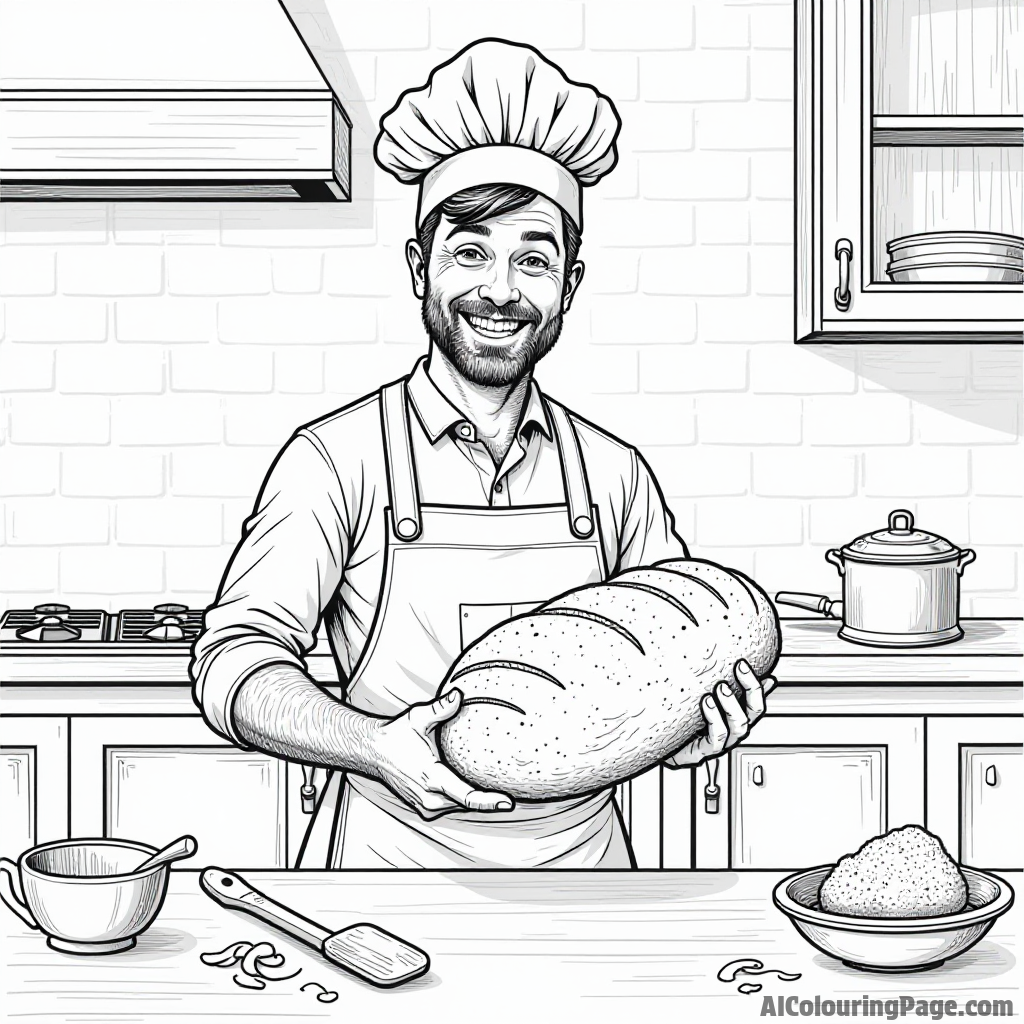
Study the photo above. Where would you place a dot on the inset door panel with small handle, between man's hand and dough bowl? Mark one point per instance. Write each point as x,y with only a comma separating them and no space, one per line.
816,803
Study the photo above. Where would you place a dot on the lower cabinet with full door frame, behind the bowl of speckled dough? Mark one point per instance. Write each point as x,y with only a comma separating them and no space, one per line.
808,791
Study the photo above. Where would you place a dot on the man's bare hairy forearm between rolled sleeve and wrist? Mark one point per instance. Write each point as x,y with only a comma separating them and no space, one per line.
283,712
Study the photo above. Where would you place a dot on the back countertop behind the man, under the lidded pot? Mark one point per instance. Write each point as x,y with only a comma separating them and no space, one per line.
990,654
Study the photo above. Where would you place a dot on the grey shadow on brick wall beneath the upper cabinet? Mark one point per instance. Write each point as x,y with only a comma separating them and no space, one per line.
977,383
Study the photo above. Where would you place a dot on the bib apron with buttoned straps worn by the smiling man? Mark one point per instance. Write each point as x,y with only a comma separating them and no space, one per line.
451,575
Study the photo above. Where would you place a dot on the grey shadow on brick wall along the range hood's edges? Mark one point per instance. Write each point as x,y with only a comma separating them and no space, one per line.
318,30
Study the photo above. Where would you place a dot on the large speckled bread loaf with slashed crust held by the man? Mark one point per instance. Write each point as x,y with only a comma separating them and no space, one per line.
606,681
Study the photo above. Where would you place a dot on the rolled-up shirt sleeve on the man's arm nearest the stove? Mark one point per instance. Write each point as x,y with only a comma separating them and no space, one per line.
286,569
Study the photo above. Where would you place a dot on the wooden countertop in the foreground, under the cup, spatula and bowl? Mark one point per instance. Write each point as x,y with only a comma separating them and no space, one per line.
503,947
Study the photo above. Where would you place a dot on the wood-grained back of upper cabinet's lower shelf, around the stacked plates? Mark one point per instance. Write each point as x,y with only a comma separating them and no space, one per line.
919,189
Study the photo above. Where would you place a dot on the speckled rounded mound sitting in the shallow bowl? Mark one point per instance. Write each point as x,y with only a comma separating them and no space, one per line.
905,874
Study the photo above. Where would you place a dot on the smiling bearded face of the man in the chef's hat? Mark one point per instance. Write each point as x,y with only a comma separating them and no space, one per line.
494,292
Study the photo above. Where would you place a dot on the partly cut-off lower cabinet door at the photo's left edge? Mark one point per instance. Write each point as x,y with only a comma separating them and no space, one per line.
33,783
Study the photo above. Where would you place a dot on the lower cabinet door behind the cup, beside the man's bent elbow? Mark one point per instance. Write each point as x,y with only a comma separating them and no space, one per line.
152,780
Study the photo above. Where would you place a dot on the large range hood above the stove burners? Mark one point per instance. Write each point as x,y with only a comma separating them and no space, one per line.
165,100
